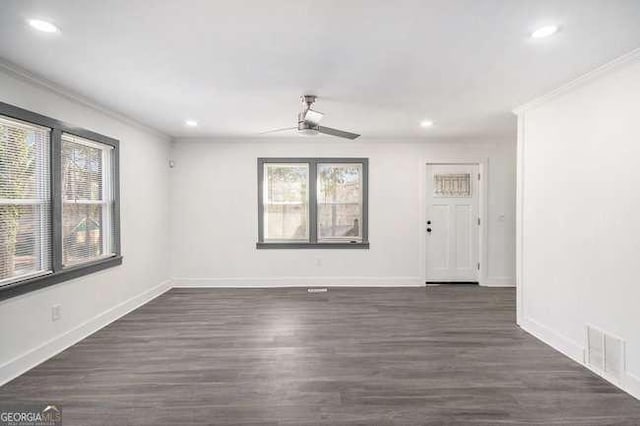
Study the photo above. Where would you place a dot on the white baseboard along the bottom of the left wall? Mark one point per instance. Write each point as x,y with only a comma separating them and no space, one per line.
22,363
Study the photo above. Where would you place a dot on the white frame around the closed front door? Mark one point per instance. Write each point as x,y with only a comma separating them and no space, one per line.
483,168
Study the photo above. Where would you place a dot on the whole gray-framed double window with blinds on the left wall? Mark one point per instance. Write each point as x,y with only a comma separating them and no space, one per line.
59,209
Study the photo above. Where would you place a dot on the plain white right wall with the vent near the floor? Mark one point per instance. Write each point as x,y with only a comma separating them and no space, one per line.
580,203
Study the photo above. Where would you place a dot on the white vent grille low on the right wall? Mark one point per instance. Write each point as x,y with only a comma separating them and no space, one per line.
605,353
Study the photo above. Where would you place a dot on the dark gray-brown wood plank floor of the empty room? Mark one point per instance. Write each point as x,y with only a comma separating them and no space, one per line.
370,356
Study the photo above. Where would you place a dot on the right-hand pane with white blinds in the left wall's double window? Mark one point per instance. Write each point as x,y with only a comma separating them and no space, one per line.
87,200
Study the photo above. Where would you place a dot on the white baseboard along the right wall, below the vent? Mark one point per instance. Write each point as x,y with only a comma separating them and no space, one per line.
575,351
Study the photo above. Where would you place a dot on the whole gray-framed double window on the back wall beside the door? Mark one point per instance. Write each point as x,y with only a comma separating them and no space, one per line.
312,203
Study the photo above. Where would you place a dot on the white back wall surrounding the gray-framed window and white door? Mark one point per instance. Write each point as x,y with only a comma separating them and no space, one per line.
214,213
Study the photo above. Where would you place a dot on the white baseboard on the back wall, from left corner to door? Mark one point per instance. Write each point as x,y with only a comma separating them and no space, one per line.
299,282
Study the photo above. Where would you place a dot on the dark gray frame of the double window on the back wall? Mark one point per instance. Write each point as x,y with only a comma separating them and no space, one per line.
313,242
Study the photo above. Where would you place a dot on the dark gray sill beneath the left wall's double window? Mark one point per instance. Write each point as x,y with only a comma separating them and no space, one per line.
41,281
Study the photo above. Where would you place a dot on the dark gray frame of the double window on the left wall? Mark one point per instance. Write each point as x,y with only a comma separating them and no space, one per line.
58,272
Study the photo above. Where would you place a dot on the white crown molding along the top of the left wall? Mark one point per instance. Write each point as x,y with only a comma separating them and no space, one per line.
40,81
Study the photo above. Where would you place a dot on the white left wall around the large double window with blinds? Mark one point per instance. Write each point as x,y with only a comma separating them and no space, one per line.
27,334
